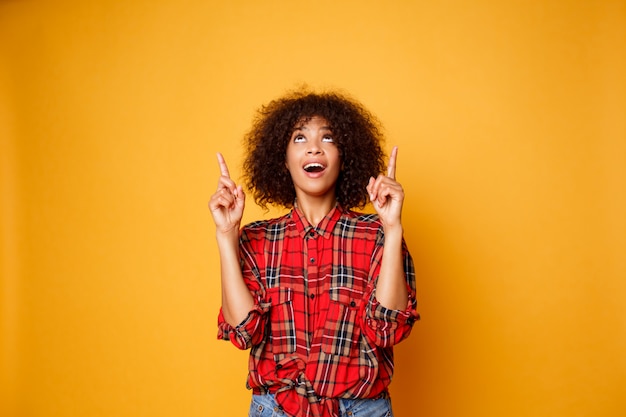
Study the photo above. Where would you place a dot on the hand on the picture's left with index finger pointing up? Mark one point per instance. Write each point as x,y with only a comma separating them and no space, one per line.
227,203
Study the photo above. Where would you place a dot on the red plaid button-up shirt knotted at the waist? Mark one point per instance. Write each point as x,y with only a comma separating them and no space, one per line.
317,332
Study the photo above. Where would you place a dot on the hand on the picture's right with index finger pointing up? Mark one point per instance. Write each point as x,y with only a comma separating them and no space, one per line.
387,194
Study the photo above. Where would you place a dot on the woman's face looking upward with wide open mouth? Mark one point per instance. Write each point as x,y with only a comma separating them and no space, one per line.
313,159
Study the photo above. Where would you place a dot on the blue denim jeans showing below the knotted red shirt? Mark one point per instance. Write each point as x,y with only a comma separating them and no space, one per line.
266,406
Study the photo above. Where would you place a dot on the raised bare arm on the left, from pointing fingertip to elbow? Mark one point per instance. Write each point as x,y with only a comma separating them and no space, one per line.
226,207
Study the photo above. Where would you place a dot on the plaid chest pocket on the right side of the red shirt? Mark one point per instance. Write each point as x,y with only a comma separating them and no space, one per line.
342,332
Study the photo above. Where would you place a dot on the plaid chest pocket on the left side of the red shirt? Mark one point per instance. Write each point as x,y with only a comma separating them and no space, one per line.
282,327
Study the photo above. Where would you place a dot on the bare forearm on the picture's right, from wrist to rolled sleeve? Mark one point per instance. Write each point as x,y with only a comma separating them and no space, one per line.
391,288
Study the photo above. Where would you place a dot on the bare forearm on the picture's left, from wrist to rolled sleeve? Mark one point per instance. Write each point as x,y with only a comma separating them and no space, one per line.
237,301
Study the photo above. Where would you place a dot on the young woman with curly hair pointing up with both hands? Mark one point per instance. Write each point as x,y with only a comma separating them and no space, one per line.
322,294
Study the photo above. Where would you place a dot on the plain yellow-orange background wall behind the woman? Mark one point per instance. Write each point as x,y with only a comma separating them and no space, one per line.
510,118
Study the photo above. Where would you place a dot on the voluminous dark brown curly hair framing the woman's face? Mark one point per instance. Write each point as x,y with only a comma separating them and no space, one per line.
357,133
